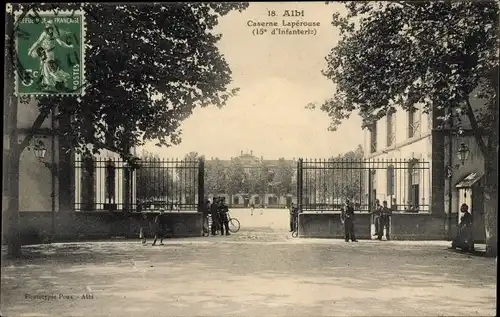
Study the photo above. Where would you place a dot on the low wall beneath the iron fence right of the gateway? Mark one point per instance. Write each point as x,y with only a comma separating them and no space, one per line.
404,226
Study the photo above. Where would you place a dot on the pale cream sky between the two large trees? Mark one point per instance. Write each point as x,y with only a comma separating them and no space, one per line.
278,75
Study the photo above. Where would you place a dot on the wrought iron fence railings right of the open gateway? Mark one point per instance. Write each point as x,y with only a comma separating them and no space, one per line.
325,185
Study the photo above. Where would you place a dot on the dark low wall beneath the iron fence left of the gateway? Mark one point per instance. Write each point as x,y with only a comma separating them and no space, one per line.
36,227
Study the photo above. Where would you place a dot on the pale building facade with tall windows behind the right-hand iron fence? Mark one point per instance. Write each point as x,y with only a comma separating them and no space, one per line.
404,138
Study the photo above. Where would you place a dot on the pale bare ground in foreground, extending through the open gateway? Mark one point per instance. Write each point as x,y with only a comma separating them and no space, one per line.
260,271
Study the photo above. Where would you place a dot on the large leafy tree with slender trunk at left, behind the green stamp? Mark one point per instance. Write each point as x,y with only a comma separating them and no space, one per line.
148,66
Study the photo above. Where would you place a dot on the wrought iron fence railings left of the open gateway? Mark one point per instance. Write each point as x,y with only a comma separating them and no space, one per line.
112,184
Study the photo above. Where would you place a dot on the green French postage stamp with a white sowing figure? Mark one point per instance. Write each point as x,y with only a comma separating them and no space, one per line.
50,52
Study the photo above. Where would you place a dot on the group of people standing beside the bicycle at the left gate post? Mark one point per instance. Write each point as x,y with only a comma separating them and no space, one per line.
218,210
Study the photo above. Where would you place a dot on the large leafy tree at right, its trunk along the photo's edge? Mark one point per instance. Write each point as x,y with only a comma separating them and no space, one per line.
437,54
